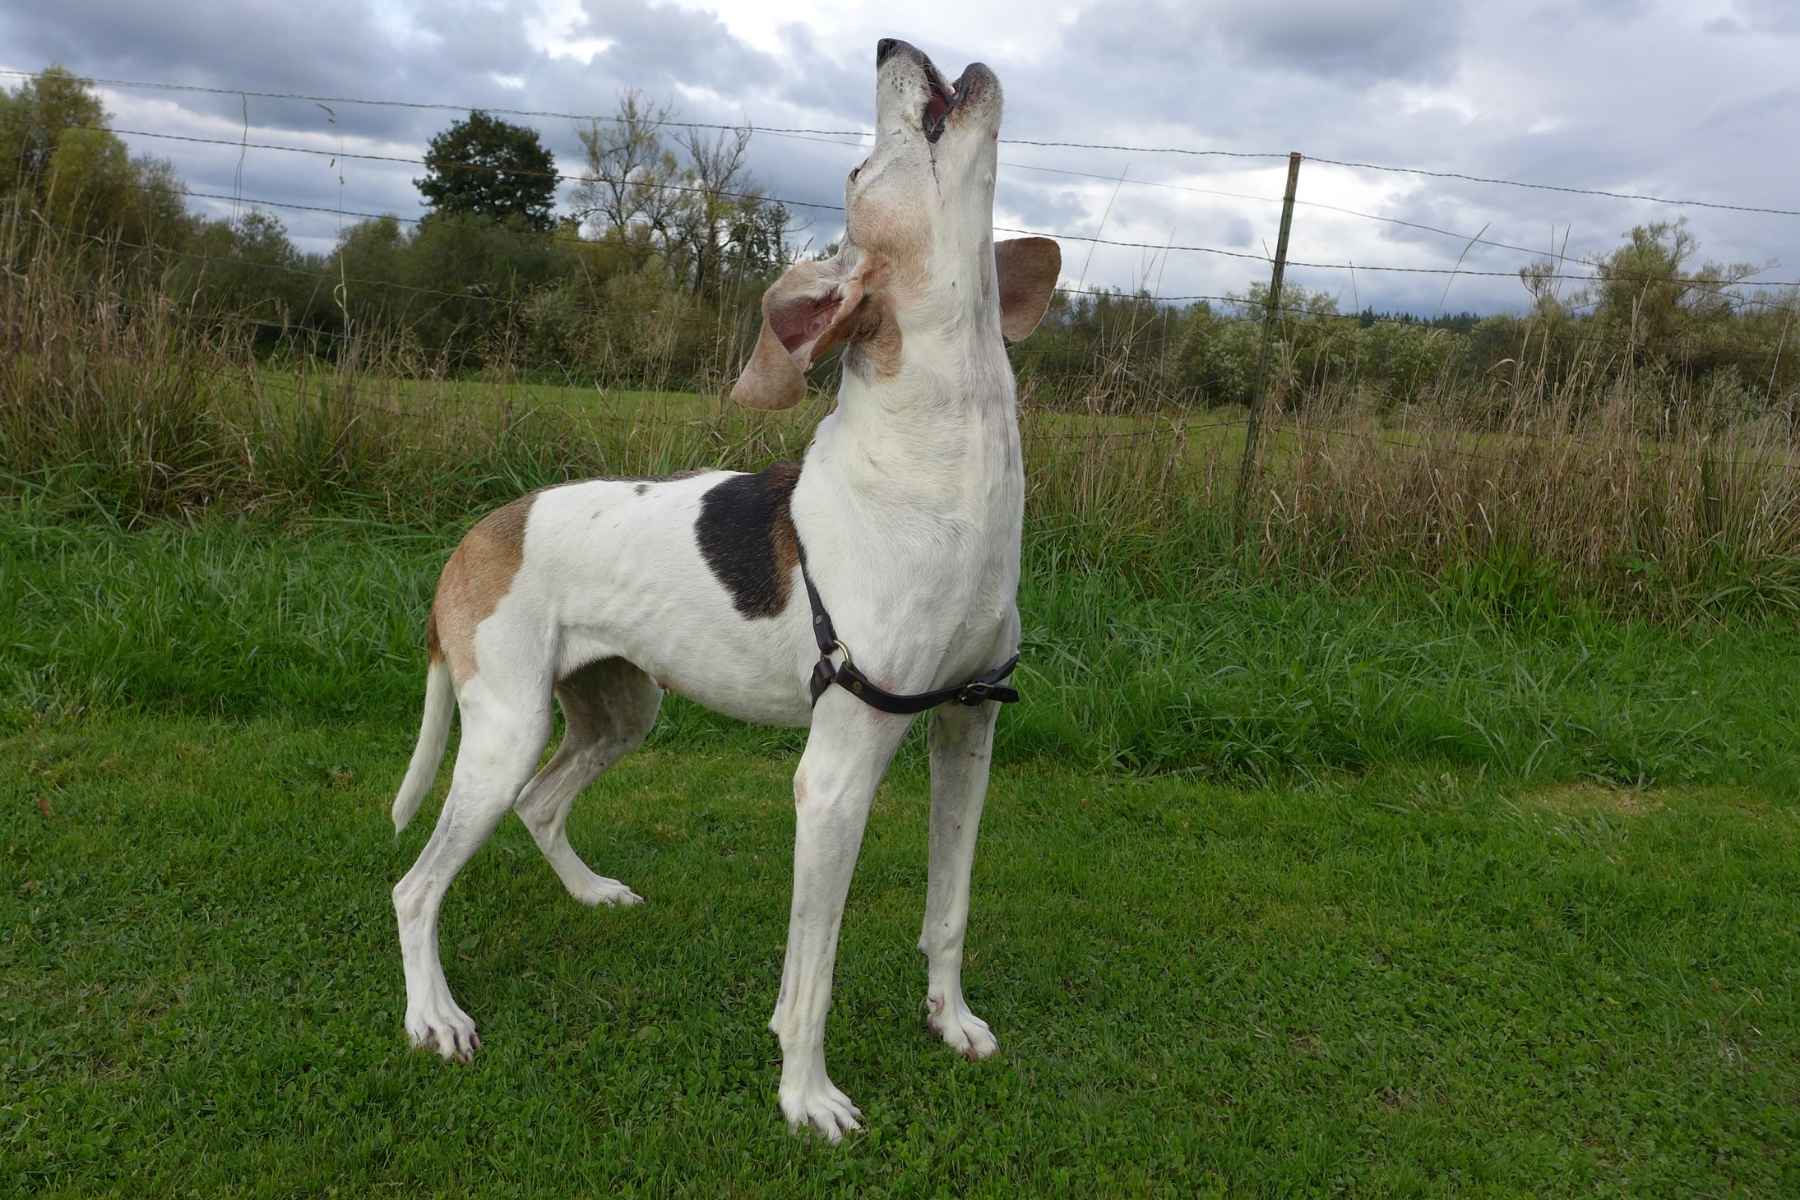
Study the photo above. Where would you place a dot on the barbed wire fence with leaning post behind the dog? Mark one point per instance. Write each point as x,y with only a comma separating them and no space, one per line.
1266,312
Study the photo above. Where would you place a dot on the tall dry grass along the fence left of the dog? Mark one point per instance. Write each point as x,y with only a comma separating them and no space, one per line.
121,391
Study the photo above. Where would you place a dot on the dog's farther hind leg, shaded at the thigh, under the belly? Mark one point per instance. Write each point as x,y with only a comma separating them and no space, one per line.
609,708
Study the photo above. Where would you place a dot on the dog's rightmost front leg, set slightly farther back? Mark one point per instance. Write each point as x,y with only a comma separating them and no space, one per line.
962,744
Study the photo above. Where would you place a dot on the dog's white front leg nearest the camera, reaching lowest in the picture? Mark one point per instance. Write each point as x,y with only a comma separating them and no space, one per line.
845,760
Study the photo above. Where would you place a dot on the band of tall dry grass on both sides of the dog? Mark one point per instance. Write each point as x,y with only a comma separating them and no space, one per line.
1635,488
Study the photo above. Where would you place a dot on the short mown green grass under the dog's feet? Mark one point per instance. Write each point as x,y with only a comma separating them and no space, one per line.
1410,983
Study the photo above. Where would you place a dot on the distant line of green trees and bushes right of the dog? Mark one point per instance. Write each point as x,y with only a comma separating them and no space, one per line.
1651,310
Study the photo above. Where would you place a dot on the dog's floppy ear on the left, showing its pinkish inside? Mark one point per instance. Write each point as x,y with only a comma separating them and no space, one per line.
805,316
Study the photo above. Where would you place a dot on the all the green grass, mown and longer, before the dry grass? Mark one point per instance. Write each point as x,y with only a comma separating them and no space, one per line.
1282,891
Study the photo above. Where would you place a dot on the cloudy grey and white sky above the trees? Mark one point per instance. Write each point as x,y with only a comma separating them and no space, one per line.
1677,98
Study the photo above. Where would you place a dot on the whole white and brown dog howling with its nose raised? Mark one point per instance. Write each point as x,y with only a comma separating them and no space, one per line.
906,519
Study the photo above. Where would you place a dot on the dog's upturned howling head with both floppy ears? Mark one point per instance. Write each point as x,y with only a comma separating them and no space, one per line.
919,256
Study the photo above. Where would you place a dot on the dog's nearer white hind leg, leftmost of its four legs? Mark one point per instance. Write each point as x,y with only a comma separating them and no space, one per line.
503,737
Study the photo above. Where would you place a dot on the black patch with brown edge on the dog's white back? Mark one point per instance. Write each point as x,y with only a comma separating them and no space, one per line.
748,539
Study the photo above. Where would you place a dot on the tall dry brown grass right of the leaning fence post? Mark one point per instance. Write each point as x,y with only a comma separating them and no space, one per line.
1651,488
